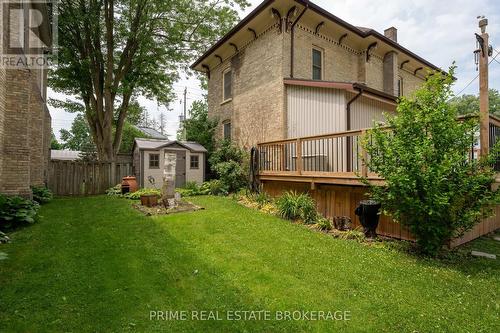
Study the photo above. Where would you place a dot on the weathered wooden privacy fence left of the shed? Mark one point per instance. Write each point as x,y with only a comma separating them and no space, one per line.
70,178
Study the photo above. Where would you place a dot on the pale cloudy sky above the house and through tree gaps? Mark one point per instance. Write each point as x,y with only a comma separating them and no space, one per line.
439,31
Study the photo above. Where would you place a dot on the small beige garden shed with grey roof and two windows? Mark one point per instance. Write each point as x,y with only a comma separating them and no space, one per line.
149,158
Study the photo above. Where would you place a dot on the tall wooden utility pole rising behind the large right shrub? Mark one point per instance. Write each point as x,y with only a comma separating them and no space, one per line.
484,109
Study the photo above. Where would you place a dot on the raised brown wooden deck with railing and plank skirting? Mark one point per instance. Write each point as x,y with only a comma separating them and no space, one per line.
329,168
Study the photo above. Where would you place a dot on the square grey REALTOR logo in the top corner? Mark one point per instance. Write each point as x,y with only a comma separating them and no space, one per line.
28,31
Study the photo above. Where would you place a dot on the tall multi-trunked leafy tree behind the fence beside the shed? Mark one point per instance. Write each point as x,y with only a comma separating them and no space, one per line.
111,51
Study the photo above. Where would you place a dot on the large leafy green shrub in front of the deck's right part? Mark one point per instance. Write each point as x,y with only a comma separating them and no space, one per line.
433,187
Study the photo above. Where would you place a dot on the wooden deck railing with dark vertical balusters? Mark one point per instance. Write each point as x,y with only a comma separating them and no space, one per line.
331,155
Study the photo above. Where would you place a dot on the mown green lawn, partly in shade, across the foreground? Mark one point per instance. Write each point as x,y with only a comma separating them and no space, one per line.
96,265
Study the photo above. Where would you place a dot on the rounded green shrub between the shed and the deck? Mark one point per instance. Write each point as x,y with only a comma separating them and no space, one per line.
231,165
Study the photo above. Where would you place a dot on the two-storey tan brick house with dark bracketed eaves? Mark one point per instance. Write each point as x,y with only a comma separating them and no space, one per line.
292,69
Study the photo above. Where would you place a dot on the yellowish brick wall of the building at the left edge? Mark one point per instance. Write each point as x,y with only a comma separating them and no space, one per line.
25,122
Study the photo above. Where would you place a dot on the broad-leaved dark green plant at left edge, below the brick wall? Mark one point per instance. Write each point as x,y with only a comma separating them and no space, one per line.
16,211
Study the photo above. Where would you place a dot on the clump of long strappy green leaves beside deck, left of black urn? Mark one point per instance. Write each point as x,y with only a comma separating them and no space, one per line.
294,206
